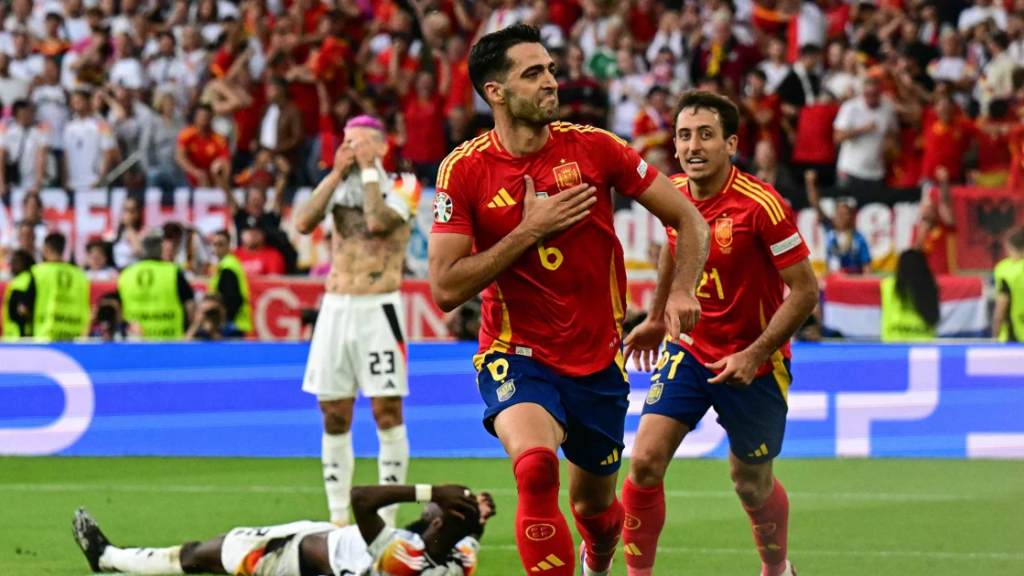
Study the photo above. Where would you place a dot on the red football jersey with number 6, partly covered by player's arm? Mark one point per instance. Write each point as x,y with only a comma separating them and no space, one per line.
563,303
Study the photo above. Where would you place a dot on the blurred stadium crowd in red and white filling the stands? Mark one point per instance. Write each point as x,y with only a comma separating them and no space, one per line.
855,101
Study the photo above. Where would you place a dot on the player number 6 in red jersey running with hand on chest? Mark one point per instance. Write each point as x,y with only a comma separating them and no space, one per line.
524,214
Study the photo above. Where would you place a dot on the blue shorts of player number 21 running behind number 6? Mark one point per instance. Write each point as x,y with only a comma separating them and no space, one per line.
754,418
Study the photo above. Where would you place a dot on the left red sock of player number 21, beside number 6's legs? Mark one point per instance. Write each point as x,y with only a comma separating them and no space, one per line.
645,521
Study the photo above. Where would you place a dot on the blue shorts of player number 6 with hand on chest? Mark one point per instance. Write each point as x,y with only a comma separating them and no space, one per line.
592,409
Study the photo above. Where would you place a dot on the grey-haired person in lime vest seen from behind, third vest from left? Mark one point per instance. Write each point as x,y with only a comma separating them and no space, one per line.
156,297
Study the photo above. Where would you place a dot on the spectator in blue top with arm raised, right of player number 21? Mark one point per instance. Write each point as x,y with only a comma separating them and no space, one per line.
846,250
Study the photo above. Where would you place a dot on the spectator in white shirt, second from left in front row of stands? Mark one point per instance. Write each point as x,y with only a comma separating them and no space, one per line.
91,149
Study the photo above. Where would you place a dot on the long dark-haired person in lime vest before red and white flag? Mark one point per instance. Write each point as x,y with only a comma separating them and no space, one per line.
910,302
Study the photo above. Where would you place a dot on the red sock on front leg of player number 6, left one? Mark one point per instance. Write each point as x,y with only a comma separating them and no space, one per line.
541,531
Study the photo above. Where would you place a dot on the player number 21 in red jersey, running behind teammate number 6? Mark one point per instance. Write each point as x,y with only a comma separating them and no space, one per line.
738,358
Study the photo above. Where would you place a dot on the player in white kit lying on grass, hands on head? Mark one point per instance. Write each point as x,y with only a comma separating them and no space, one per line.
443,543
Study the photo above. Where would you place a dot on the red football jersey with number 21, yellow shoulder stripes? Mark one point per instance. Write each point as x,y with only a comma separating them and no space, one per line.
754,236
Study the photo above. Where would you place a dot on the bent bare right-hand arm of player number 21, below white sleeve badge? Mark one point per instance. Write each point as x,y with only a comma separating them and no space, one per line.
740,369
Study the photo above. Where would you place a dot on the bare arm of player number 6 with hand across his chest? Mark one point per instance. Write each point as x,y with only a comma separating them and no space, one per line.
457,275
